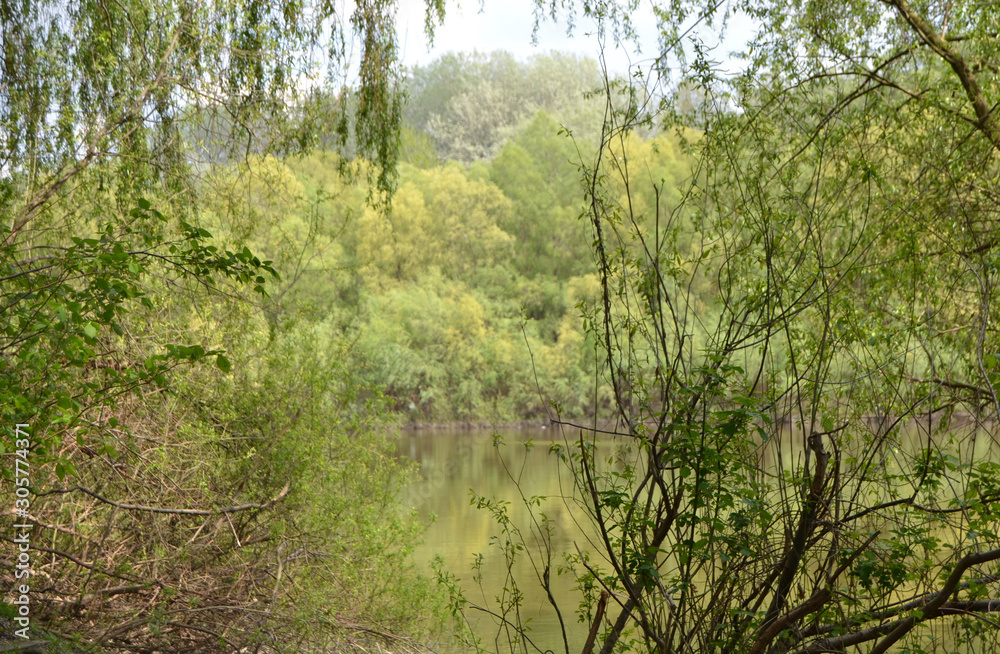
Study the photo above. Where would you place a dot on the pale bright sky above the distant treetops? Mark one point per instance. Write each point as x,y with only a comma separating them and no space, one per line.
507,25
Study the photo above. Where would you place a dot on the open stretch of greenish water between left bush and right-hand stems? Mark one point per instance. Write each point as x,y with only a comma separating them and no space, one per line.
453,465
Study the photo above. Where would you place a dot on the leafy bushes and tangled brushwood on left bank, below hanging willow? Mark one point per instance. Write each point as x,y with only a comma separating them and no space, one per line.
277,428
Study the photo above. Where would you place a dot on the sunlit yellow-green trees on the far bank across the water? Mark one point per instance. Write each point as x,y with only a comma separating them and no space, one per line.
462,300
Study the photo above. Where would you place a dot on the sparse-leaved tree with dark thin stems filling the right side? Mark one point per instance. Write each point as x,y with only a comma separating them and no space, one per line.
810,464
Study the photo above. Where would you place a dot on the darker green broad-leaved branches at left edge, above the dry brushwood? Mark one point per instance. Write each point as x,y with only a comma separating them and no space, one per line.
64,316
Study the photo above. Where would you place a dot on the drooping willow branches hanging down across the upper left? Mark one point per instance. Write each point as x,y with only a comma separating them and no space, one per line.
224,74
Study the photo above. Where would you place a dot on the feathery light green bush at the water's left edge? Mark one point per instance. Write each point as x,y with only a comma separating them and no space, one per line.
298,412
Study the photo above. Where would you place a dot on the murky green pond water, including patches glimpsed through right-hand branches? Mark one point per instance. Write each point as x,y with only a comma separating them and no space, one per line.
454,464
